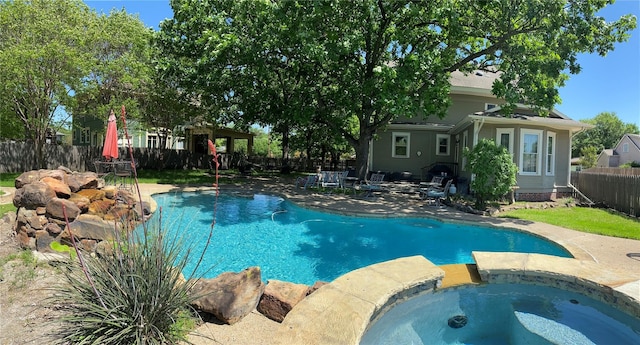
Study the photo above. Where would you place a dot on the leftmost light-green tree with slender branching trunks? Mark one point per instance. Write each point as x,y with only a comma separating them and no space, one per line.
44,54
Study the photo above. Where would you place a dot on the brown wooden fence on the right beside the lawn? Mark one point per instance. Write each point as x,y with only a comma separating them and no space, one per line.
616,188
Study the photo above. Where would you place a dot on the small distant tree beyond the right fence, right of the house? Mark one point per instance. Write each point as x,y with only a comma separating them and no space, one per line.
608,130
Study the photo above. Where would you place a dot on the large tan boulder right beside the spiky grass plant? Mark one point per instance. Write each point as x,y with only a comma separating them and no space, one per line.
230,296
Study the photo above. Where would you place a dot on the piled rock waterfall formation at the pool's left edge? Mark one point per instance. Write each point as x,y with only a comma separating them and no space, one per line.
95,212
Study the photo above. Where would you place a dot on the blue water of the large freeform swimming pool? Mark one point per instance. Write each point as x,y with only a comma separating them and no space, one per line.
299,245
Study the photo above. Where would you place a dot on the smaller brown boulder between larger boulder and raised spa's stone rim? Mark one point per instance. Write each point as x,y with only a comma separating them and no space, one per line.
280,297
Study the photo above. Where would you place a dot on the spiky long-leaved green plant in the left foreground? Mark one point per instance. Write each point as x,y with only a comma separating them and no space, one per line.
136,295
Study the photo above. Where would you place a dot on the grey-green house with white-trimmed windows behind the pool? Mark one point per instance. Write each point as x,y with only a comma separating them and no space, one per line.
540,145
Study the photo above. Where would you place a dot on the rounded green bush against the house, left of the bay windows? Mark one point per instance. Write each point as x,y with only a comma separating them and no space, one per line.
493,170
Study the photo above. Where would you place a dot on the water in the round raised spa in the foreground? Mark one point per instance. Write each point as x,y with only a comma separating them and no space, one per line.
498,314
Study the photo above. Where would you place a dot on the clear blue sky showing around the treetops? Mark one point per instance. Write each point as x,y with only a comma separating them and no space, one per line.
606,84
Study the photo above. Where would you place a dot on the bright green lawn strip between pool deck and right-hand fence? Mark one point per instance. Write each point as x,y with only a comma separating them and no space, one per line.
591,220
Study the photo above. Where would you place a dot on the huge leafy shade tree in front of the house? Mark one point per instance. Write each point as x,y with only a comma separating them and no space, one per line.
373,61
